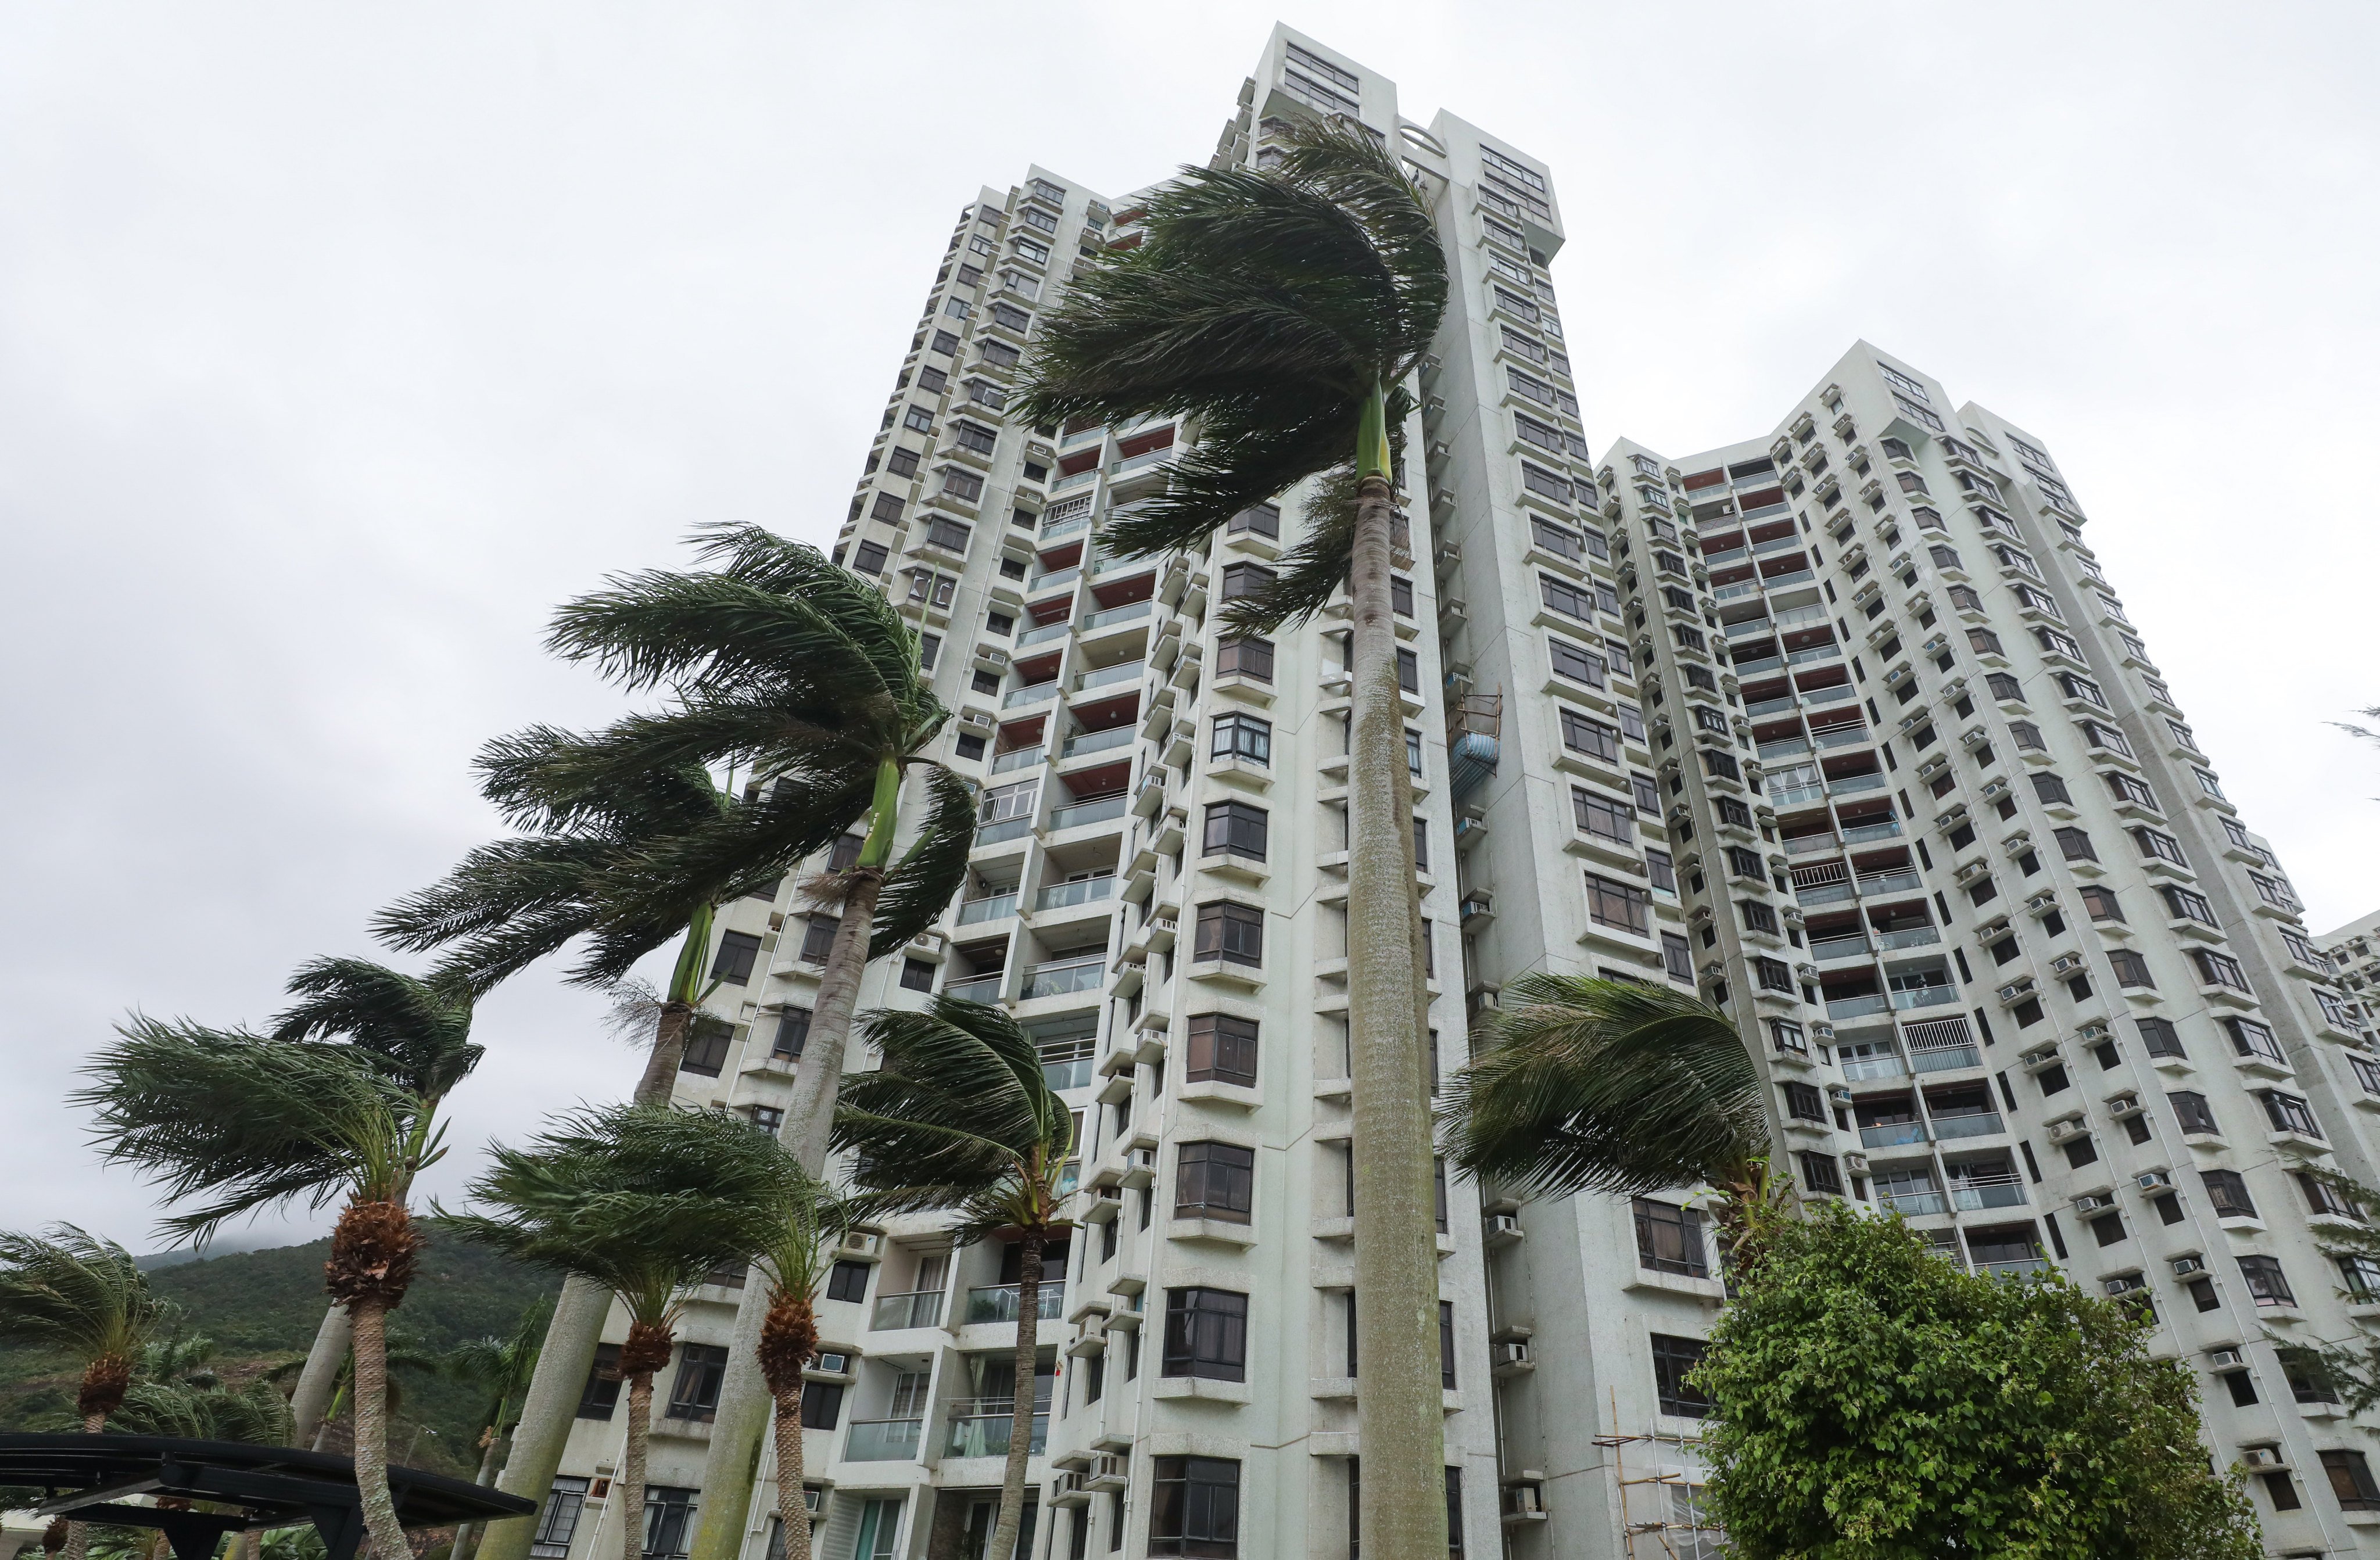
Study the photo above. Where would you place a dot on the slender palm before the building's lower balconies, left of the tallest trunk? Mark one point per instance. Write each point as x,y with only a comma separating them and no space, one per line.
963,1119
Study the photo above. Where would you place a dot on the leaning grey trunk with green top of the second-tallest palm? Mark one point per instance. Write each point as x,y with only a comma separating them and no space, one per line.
810,1116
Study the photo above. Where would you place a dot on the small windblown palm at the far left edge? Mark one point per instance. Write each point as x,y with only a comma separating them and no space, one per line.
87,1297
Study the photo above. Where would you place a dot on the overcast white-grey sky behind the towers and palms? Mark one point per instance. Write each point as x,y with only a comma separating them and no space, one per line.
339,344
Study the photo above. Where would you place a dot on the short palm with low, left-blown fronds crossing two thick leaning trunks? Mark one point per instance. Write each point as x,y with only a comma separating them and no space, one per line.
644,1202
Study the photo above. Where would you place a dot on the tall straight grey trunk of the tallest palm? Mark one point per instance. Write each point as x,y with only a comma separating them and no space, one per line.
1401,1419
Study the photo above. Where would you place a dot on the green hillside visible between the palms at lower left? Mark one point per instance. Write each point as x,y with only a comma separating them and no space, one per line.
263,1307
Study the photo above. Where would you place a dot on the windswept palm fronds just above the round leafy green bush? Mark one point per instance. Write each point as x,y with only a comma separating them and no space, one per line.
1610,1086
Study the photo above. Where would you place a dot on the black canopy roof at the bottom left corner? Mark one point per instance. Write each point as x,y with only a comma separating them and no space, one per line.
246,1490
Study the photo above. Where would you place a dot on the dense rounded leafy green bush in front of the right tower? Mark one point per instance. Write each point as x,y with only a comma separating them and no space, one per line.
1872,1402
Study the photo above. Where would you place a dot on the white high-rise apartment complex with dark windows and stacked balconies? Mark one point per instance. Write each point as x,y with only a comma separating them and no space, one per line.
1841,729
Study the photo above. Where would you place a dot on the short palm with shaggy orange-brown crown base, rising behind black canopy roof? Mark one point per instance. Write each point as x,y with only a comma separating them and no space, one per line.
249,1121
